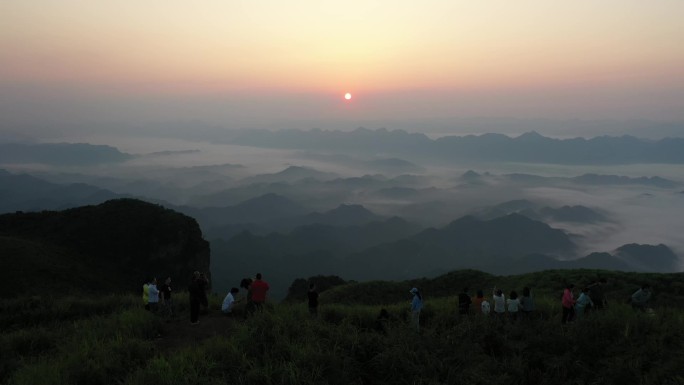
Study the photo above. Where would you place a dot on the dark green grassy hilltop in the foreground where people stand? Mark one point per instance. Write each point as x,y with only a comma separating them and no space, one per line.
112,340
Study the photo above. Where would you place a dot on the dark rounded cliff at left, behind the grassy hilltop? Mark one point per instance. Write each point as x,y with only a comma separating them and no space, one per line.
120,242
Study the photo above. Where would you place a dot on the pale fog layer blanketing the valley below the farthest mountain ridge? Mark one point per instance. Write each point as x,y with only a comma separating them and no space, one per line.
199,174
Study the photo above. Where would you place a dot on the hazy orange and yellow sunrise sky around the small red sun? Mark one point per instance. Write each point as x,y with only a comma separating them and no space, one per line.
288,64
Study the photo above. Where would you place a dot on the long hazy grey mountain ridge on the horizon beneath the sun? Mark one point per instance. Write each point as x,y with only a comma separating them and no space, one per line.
529,147
